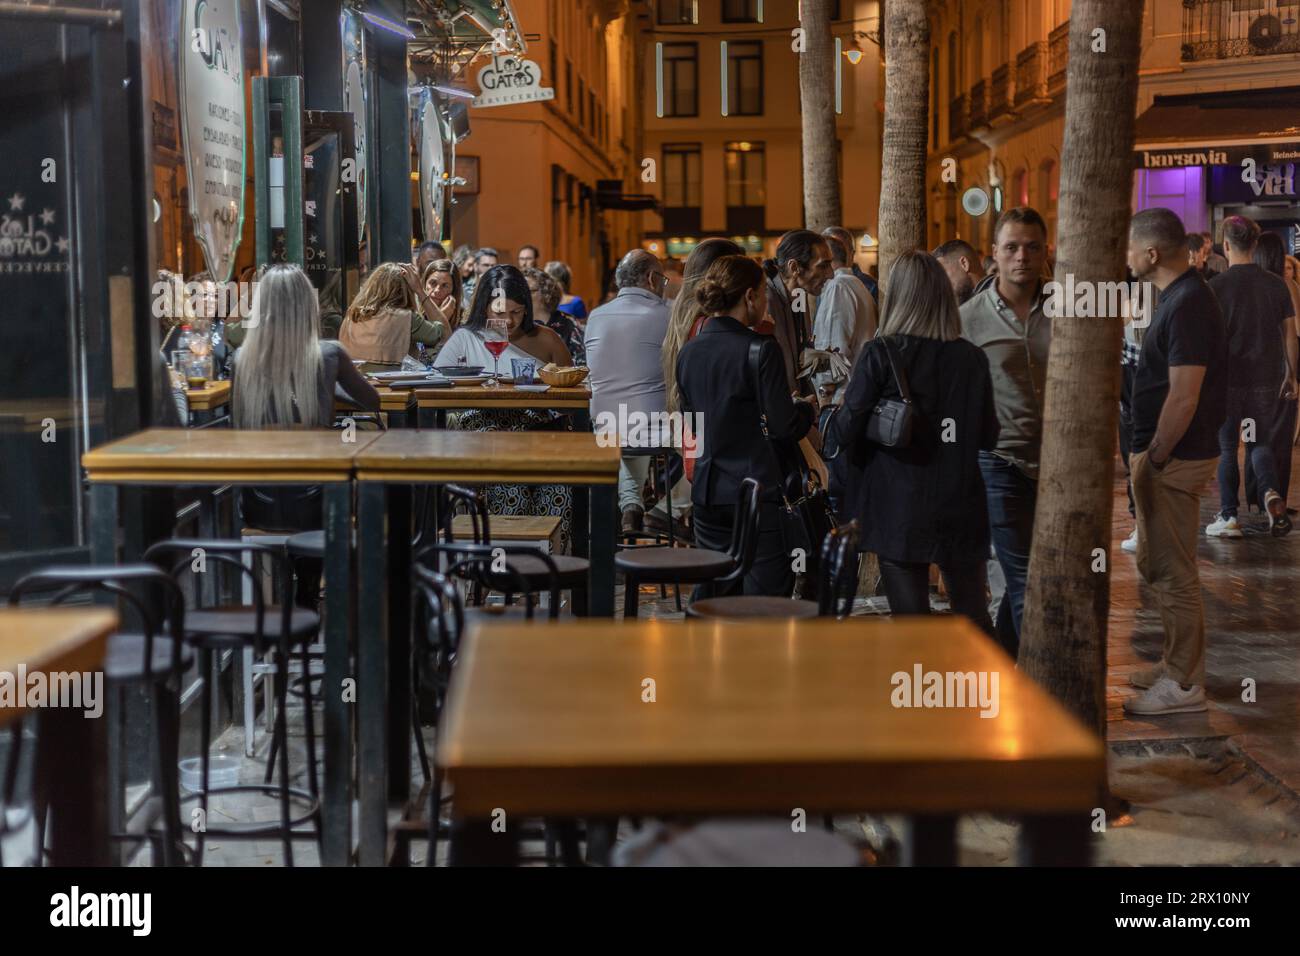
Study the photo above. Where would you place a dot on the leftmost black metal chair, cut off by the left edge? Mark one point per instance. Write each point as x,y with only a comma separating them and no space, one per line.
155,659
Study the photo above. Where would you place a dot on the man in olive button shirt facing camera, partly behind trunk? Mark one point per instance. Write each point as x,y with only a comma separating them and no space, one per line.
1007,321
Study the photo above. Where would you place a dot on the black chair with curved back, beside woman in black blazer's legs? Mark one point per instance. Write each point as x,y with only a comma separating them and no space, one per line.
694,565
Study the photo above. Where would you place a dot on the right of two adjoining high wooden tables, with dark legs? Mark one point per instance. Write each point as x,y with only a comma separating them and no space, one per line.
385,471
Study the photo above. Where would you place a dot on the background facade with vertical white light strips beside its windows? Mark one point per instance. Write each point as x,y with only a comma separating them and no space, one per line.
721,98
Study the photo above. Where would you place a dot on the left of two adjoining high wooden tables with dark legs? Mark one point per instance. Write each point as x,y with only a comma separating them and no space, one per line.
218,457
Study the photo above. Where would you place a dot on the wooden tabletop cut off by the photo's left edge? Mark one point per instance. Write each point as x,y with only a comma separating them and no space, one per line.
45,641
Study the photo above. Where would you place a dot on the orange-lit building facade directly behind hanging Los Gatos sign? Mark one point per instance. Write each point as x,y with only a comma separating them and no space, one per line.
557,174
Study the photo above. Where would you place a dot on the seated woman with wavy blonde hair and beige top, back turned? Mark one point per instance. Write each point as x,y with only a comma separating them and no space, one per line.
384,322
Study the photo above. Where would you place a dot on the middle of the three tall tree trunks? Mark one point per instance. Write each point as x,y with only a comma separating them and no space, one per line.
903,181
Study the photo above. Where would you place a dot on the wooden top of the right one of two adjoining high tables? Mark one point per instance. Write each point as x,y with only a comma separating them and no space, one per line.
525,457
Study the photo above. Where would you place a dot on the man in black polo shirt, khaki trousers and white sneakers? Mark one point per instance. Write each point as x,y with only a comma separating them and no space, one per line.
1178,406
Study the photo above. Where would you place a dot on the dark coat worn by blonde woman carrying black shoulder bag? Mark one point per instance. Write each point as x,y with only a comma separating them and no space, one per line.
925,503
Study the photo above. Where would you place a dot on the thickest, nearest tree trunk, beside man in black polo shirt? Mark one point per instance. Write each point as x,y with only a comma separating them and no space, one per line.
1064,634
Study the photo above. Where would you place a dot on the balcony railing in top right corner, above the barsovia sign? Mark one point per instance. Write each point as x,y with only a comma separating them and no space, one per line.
1214,31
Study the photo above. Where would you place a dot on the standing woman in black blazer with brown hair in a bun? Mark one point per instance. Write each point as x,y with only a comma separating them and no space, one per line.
718,383
